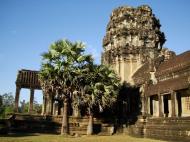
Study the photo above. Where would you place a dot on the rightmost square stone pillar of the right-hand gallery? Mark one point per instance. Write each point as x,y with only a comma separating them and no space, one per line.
174,103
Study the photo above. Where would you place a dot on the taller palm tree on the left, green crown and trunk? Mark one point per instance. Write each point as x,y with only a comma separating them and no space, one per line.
60,70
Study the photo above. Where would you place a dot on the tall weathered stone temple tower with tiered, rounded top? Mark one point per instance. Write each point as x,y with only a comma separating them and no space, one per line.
133,37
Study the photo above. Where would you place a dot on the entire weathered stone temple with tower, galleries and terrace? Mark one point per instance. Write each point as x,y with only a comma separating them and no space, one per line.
155,99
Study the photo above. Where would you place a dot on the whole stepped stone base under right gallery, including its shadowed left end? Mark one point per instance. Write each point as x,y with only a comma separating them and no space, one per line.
170,129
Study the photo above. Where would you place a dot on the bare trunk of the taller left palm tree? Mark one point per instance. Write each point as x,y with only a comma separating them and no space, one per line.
64,128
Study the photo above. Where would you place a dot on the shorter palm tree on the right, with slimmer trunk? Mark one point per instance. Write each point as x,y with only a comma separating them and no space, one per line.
101,92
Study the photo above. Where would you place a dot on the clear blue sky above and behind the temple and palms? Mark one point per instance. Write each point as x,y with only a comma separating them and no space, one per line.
28,27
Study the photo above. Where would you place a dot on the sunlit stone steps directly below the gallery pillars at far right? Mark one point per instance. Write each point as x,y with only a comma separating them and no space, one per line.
174,129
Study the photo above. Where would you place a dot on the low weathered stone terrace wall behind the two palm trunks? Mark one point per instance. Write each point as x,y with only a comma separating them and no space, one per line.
52,124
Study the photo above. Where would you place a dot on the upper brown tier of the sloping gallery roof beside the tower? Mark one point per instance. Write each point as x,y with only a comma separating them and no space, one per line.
163,68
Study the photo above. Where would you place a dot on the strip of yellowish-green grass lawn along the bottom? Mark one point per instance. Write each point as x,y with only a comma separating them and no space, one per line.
58,138
